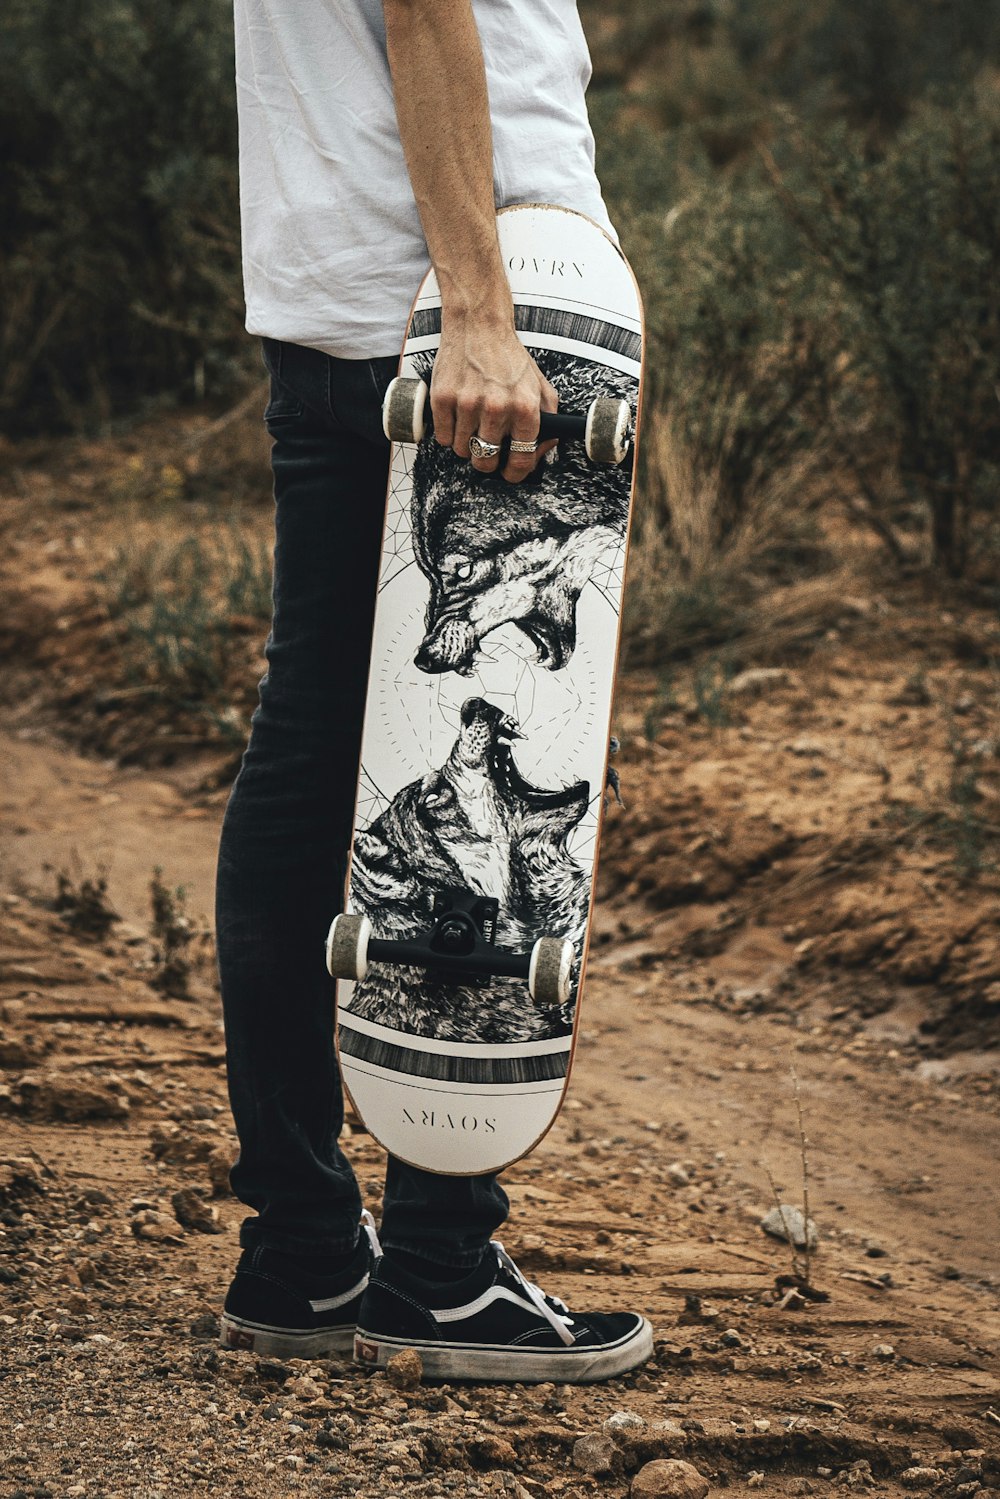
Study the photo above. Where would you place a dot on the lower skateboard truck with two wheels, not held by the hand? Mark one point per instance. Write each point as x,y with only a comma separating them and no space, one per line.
458,948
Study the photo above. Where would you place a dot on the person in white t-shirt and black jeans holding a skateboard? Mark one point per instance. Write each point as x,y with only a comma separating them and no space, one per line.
376,137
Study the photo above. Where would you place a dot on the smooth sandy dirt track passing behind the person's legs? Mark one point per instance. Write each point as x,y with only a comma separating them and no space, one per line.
897,1153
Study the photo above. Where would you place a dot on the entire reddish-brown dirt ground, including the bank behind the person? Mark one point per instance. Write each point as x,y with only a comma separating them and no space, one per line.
800,896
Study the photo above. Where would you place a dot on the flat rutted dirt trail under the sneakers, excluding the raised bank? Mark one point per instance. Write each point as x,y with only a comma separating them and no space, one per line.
648,1192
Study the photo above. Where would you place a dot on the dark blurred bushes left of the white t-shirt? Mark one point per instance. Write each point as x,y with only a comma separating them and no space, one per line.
119,218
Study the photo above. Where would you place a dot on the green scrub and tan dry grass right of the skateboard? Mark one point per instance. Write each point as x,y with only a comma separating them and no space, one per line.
824,328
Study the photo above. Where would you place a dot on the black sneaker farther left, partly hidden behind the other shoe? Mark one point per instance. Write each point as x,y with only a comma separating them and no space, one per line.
274,1308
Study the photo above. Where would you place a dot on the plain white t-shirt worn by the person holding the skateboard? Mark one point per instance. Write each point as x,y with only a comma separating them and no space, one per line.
334,251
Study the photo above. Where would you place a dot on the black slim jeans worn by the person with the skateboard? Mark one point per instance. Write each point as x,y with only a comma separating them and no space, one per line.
287,831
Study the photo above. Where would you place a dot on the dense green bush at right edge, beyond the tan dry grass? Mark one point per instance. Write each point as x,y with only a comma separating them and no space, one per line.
911,244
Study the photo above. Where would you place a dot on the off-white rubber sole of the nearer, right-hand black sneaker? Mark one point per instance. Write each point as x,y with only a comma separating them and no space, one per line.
528,1366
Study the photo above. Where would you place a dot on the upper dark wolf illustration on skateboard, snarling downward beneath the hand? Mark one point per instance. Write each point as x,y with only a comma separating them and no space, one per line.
503,554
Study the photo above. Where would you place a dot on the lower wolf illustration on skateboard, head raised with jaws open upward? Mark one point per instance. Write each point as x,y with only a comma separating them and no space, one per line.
476,825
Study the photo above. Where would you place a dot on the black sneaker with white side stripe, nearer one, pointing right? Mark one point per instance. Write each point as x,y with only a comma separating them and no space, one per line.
494,1326
